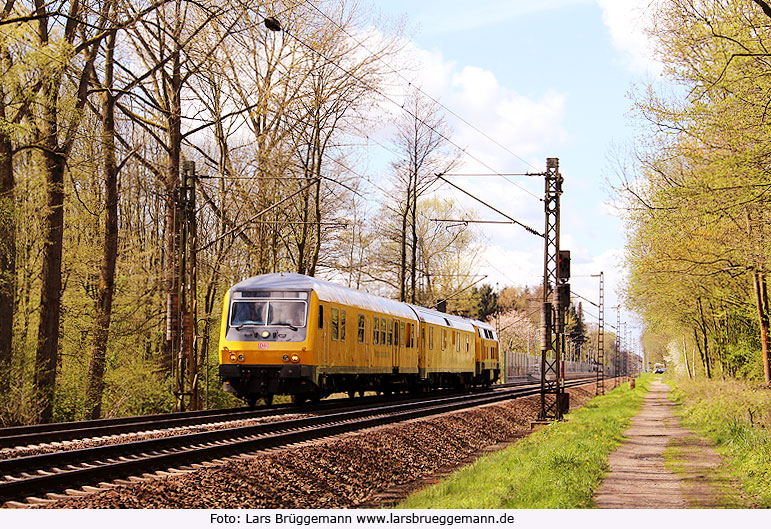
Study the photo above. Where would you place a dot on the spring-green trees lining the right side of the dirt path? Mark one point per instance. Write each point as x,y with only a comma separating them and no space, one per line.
695,190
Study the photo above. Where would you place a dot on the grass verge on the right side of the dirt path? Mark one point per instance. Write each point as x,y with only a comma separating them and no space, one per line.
736,417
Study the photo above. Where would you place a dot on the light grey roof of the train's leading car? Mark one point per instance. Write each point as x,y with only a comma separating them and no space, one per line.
326,291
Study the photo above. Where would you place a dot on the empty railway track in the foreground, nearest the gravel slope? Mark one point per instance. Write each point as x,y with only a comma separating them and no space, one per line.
57,472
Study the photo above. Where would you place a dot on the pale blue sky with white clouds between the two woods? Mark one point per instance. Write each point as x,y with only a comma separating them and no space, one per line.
545,79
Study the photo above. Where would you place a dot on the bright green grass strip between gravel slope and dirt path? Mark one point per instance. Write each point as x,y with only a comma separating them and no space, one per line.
559,466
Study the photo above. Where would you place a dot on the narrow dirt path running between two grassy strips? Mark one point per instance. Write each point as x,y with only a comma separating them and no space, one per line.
661,465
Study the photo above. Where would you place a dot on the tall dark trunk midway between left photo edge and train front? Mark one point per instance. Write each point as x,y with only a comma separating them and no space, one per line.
95,381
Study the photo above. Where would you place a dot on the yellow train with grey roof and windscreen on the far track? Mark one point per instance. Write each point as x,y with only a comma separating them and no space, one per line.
296,335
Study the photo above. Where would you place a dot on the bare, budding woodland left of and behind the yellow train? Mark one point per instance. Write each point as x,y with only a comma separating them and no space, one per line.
153,153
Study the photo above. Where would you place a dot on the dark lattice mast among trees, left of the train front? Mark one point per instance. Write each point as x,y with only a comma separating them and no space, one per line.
186,380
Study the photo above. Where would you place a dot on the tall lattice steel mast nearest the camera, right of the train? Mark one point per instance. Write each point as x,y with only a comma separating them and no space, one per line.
552,321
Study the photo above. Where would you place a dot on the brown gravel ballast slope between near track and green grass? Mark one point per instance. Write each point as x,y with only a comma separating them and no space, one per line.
342,472
